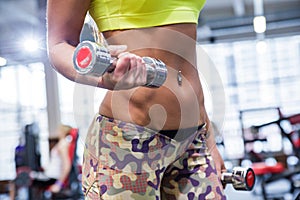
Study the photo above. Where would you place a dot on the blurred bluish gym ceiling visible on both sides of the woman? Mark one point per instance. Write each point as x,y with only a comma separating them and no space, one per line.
225,20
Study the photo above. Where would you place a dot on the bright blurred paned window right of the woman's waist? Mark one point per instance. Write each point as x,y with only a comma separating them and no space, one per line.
256,78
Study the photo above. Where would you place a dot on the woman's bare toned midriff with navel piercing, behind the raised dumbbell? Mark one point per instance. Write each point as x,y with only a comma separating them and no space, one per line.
172,106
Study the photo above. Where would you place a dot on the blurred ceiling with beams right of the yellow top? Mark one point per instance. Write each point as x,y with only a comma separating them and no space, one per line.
230,20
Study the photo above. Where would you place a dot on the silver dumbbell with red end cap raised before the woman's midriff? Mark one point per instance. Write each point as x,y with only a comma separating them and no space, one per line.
90,58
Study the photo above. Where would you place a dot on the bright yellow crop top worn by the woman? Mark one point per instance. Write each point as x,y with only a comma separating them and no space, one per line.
127,14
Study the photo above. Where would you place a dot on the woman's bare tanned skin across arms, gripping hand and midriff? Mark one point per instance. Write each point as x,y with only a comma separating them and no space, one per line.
169,107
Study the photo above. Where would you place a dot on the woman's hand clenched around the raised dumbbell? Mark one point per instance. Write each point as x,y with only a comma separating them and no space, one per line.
129,70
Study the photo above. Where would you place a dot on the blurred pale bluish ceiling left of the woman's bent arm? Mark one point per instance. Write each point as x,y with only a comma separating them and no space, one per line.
19,20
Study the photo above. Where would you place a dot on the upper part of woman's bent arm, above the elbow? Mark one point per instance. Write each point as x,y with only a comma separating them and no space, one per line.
64,20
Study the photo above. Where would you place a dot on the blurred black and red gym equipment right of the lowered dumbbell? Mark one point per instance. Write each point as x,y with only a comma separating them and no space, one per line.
288,128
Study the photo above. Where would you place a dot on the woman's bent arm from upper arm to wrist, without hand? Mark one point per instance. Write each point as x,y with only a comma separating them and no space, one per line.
65,19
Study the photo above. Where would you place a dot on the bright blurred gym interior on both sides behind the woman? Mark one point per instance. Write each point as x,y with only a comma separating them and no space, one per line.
252,48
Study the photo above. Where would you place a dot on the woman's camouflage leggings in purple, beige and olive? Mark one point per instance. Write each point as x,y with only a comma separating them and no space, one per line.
127,161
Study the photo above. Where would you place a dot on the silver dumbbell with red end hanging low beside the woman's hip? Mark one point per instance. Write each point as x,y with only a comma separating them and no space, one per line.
241,178
